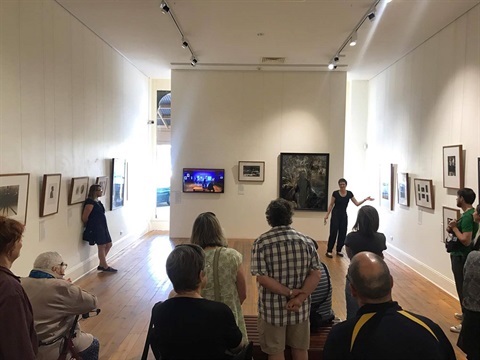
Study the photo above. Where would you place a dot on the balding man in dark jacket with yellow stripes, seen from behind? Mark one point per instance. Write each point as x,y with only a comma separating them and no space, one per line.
382,329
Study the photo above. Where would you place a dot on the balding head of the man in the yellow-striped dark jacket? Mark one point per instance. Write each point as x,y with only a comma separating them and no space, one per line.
370,285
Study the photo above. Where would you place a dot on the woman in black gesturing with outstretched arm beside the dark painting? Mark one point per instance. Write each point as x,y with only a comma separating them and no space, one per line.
339,221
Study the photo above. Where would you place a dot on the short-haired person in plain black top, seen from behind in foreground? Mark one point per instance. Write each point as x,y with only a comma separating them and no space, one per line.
187,326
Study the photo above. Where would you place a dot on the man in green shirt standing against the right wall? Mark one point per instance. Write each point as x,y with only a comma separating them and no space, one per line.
464,229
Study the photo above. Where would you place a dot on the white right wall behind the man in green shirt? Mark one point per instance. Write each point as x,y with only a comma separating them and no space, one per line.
427,100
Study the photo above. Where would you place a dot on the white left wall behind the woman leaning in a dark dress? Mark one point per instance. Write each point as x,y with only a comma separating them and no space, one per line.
68,104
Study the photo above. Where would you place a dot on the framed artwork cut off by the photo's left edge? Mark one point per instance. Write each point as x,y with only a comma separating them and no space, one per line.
14,196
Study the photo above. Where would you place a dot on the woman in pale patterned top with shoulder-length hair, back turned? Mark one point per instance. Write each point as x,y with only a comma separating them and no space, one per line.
231,286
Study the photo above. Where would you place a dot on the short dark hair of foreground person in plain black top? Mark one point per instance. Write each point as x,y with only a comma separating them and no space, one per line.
184,265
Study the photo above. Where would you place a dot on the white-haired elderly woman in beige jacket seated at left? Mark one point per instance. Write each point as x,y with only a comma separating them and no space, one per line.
56,302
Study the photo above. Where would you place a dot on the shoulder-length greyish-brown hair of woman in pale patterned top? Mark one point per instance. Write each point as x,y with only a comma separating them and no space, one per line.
206,231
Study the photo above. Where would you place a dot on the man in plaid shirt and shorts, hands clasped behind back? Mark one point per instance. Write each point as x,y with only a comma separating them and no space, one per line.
288,270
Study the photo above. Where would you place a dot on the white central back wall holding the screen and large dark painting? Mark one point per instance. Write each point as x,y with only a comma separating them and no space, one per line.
222,117
